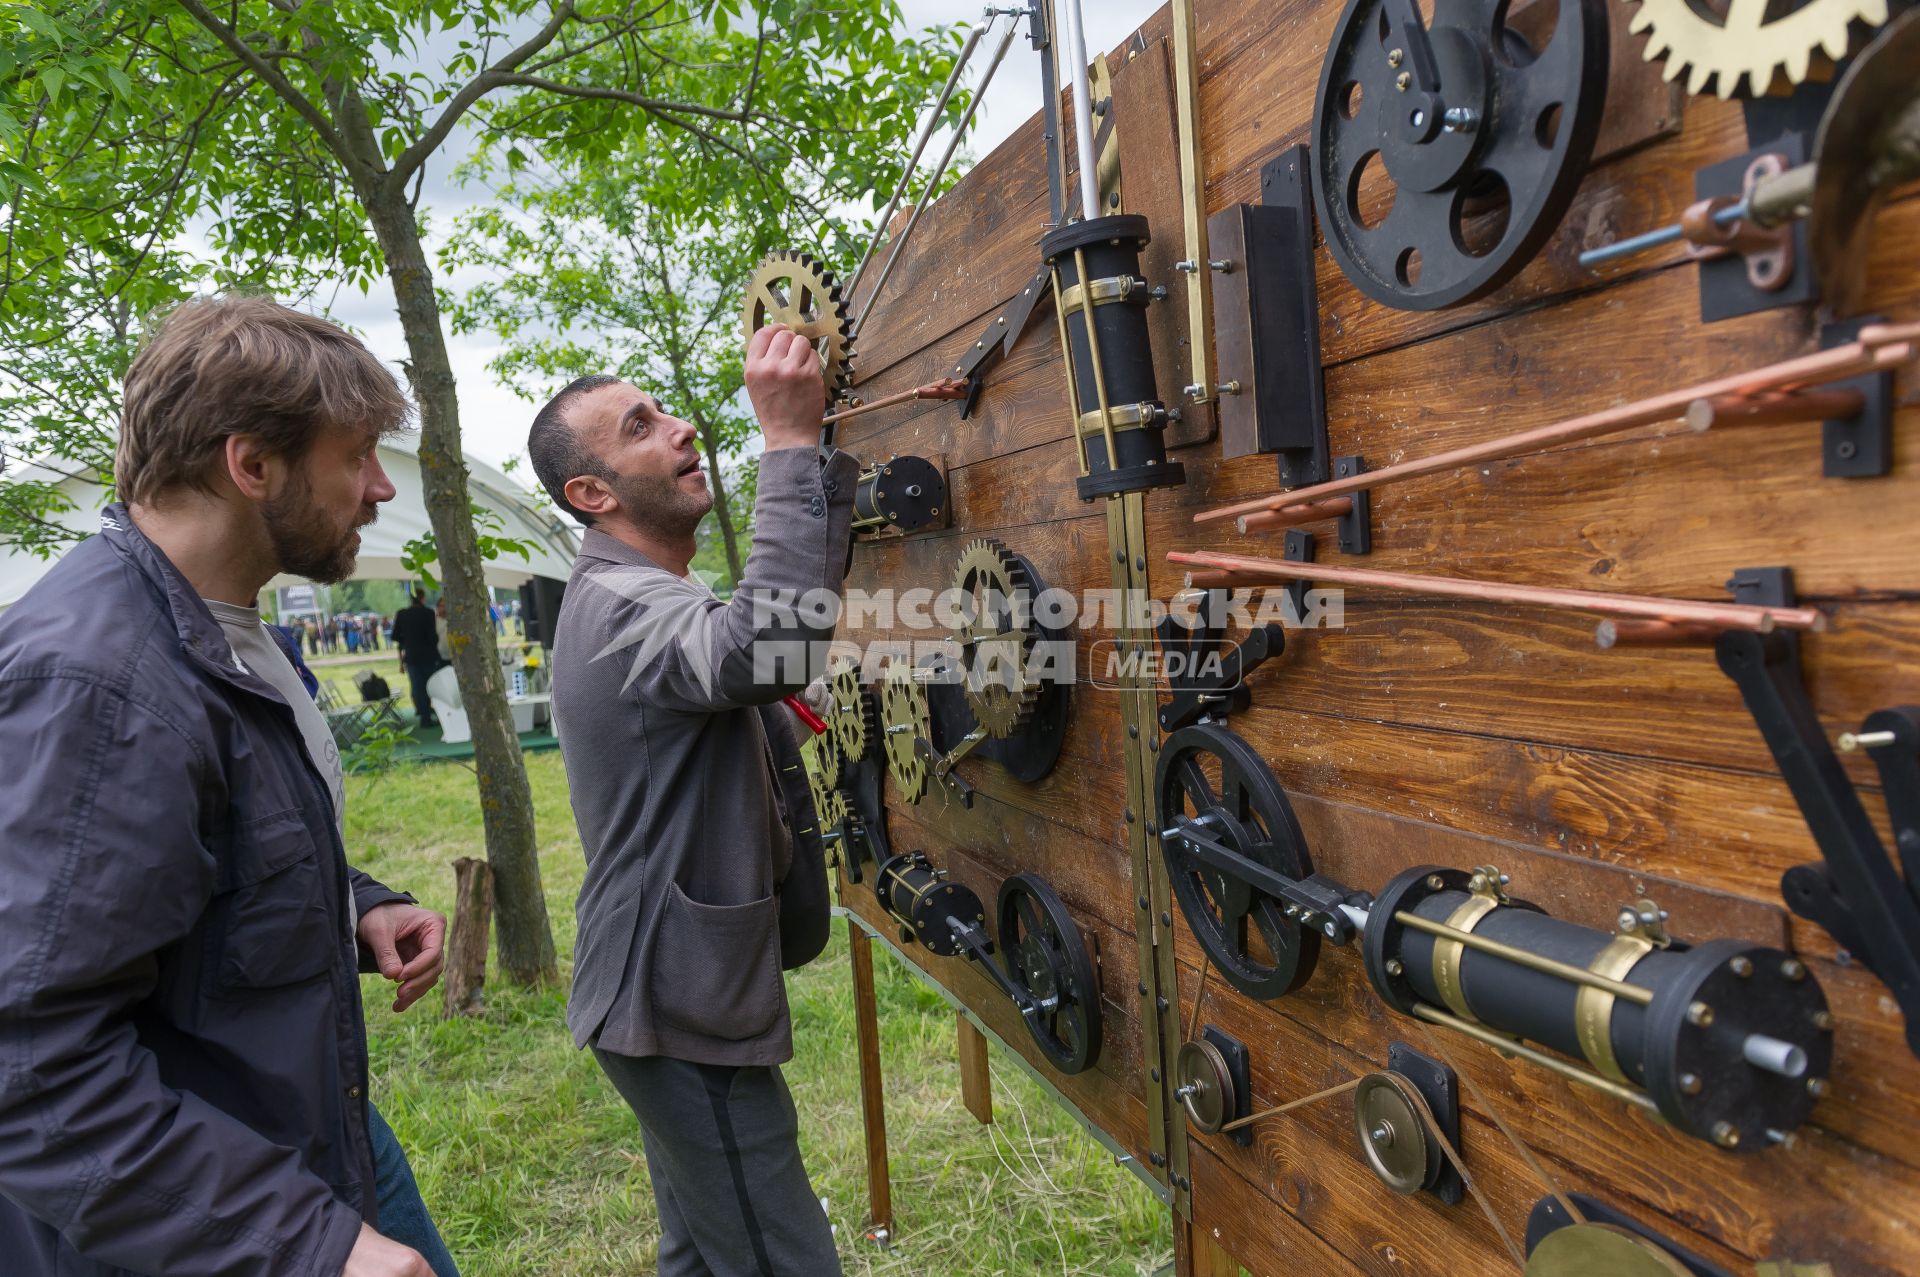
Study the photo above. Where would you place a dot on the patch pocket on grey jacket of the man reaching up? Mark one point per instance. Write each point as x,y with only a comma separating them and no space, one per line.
717,967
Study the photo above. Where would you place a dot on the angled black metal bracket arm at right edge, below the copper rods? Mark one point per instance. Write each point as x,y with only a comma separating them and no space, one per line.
1856,892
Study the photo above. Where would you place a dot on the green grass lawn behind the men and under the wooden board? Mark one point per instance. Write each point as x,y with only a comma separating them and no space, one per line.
533,1167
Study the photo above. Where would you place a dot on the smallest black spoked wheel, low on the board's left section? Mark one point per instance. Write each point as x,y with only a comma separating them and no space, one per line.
1047,961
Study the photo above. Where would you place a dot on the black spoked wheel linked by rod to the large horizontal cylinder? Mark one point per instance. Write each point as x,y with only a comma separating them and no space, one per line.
1255,946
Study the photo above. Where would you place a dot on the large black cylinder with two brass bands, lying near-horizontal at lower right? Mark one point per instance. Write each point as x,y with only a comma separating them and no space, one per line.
1692,1048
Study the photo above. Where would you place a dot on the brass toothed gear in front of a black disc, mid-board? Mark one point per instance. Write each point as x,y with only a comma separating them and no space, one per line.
996,637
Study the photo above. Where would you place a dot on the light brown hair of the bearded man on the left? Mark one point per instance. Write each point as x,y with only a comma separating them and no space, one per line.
216,368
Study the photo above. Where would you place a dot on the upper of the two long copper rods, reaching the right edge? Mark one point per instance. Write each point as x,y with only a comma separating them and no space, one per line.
1827,366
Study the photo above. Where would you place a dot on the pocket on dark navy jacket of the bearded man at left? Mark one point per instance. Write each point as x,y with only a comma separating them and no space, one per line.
272,925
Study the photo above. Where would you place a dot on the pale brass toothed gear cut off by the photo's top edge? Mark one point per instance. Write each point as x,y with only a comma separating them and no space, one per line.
1754,43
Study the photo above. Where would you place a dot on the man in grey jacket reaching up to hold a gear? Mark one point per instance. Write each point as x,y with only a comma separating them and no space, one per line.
677,783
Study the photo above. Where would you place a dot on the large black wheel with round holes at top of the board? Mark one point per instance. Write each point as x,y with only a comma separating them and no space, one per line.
1472,181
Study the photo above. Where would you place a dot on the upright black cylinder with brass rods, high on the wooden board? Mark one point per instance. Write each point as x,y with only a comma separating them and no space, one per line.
1111,249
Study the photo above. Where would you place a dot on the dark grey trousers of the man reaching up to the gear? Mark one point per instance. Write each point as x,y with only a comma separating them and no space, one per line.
725,1157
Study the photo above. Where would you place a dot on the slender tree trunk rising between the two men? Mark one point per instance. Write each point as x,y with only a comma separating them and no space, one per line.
506,798
